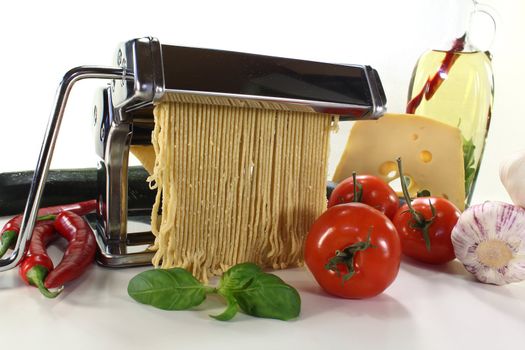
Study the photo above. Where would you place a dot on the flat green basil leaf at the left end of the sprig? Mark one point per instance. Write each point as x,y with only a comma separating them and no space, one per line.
173,289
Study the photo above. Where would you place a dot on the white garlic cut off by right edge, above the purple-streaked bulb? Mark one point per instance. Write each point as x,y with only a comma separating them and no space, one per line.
512,173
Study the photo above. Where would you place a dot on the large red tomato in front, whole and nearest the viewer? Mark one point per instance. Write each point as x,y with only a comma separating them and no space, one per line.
342,226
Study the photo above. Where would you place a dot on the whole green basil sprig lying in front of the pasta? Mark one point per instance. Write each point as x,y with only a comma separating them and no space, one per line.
244,287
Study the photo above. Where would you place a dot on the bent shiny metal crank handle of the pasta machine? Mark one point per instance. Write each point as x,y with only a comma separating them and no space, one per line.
46,152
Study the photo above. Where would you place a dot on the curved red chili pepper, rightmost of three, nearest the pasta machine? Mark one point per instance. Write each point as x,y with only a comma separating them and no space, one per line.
79,253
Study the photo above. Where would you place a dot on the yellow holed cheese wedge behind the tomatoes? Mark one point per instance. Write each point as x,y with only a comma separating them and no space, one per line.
432,154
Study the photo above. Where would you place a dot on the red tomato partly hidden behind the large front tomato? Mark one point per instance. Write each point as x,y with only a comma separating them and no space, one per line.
375,192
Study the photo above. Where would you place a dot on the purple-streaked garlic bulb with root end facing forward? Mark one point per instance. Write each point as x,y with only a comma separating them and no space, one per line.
489,239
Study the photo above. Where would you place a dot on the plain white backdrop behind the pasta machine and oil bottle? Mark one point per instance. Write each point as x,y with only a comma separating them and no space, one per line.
42,40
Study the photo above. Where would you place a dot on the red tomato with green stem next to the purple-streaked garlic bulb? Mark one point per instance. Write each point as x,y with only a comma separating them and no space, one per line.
412,239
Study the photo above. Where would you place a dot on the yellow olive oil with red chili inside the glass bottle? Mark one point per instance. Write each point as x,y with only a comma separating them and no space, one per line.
456,88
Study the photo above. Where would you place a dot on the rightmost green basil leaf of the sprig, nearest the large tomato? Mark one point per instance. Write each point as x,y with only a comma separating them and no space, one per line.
268,296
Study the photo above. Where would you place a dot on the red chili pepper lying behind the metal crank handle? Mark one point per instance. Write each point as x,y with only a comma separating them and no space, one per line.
11,229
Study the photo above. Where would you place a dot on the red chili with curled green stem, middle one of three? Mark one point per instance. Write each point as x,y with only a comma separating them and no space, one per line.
37,264
